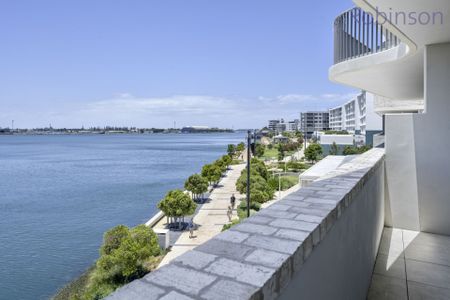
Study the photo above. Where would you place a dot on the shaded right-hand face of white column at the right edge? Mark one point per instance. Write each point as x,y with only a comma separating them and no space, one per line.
432,143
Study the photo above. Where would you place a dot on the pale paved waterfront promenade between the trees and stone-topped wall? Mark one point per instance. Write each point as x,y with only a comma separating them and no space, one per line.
210,217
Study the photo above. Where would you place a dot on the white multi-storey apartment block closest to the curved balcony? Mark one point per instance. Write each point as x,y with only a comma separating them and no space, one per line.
357,116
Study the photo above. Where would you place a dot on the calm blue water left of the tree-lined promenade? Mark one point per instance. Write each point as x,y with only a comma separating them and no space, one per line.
58,194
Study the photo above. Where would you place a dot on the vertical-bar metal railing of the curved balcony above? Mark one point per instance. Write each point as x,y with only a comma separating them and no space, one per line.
357,33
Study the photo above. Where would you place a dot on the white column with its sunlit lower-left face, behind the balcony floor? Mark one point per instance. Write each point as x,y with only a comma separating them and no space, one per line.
418,154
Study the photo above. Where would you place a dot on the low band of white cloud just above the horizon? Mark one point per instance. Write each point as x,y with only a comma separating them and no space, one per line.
127,110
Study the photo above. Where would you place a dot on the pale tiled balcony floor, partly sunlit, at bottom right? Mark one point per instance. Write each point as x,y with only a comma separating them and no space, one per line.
411,265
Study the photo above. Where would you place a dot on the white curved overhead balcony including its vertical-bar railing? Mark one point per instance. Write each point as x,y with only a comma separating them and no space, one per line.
372,55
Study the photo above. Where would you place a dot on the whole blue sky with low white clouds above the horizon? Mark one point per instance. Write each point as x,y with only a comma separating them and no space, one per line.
149,63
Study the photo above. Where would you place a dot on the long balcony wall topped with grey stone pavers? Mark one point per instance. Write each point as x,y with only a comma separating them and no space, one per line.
318,243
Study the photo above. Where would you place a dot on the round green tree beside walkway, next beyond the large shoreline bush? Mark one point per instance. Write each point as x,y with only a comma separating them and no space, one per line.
177,204
